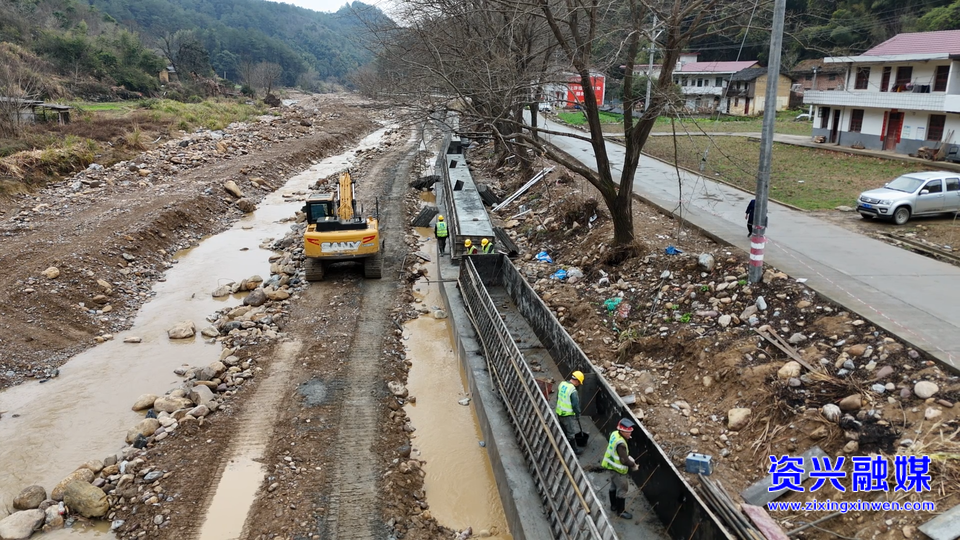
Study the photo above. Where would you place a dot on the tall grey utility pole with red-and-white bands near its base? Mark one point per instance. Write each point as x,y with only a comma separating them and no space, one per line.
766,145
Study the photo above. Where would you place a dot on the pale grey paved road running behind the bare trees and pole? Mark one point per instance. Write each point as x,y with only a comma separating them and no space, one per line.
911,296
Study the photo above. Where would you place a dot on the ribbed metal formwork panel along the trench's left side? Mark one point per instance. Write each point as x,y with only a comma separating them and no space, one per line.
572,506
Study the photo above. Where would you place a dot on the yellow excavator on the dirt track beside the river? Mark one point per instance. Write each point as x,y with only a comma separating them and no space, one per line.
337,231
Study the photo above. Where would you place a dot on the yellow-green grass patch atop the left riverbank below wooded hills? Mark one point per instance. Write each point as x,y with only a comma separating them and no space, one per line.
209,114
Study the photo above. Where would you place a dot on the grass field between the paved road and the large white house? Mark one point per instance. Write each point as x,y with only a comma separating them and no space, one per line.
809,178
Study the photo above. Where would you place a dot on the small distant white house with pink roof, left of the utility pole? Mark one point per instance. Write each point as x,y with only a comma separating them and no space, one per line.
704,83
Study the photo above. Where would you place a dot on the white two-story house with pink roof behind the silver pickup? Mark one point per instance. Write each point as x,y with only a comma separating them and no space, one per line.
898,96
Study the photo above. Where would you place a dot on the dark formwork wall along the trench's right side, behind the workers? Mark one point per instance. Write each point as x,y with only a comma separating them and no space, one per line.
683,513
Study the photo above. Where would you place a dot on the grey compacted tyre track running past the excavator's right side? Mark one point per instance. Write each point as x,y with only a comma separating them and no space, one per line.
354,503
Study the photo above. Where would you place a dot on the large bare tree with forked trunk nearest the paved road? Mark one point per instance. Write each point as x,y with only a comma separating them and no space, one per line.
501,54
